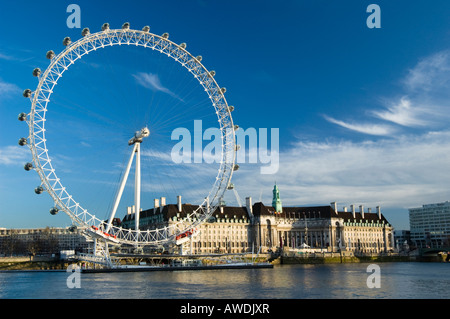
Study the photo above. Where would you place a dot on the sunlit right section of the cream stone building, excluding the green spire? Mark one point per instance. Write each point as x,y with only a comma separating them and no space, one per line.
322,228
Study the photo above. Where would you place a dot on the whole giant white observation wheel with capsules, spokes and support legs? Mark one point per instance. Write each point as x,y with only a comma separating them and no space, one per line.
181,103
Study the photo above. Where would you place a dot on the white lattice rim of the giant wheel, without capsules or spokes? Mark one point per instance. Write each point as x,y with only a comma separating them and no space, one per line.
37,141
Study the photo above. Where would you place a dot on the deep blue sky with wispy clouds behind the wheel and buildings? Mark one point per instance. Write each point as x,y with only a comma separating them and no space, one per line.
362,113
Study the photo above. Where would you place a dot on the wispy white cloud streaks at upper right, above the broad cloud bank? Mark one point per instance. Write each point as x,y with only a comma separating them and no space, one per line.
424,102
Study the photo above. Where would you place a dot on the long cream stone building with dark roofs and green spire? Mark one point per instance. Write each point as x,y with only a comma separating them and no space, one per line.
257,227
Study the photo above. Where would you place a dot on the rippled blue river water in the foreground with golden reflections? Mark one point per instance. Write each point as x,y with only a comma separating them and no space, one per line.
403,280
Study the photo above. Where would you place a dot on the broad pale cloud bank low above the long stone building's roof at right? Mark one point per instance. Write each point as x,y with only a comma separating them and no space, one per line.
402,172
